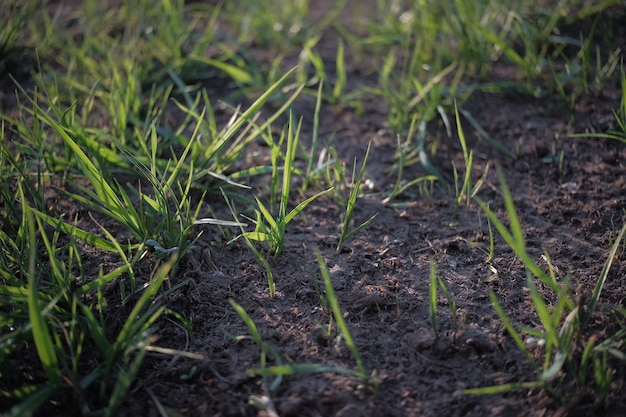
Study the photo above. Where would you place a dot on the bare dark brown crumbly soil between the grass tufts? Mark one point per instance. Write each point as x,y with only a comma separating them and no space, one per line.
570,195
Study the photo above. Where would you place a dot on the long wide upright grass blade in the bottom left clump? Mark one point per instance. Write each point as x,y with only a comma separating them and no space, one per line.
41,332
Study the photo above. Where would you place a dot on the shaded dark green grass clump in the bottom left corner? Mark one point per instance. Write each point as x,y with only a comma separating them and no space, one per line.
48,306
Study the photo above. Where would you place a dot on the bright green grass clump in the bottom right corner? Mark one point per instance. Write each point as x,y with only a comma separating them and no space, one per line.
564,320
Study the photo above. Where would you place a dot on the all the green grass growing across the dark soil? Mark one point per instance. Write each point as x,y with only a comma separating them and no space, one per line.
125,120
